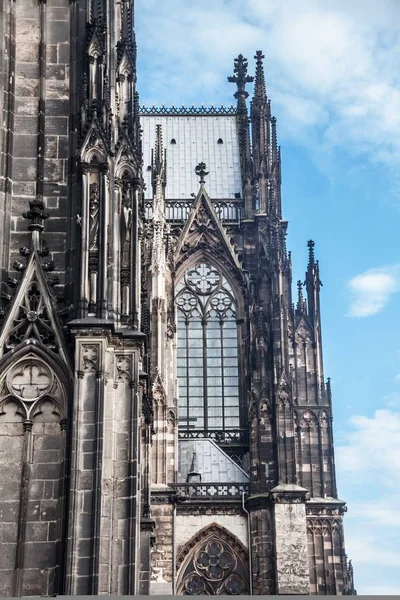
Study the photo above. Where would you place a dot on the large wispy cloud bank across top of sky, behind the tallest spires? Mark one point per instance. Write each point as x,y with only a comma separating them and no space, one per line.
331,66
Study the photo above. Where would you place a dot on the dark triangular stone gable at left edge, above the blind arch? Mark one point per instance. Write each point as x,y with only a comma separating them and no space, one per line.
31,317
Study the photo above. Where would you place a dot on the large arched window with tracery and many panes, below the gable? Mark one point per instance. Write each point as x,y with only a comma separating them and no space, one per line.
207,353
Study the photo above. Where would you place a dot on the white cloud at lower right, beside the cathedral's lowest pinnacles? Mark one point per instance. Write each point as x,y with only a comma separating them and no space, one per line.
368,464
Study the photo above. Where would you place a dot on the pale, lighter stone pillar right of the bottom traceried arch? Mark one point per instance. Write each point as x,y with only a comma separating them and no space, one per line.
291,552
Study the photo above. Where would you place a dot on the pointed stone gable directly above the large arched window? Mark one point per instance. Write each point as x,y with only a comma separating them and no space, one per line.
204,229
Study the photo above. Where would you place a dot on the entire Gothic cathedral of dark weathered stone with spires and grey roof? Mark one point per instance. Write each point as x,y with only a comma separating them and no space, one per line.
165,421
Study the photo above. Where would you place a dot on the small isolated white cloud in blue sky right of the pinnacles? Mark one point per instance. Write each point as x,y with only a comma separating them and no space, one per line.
372,290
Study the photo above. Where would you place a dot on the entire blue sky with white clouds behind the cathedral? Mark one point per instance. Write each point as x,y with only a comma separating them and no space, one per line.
333,77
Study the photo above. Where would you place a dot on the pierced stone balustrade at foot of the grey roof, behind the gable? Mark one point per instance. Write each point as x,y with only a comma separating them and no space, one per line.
177,211
